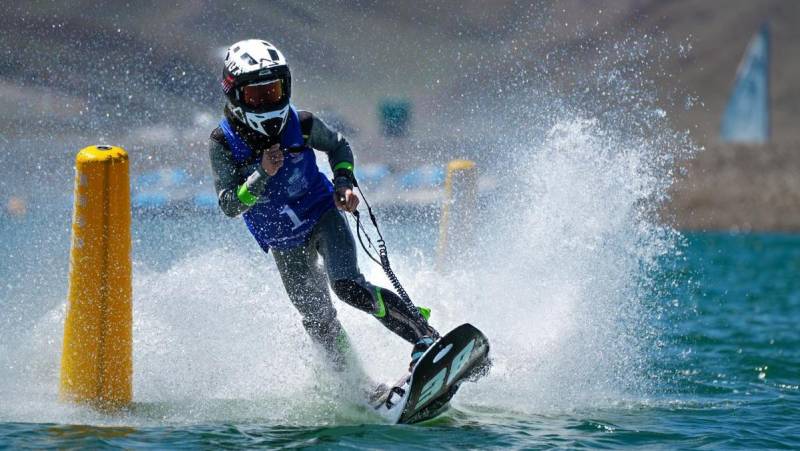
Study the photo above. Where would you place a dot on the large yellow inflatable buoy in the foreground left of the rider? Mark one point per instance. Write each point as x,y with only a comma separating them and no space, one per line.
96,362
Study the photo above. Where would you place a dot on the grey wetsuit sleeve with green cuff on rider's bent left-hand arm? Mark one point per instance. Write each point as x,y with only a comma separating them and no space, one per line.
235,195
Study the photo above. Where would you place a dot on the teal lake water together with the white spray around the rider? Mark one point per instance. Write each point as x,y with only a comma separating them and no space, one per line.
609,329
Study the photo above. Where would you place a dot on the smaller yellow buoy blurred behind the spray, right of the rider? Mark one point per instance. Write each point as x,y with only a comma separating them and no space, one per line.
456,226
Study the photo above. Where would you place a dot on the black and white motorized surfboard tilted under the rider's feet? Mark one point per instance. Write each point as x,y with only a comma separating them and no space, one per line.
425,393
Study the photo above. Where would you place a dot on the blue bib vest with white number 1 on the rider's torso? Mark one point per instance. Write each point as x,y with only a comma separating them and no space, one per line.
294,198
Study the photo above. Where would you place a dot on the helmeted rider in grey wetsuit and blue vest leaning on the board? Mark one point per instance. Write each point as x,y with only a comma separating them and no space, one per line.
265,169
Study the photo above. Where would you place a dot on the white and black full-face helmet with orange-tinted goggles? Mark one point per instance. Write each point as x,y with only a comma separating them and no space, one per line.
258,84
